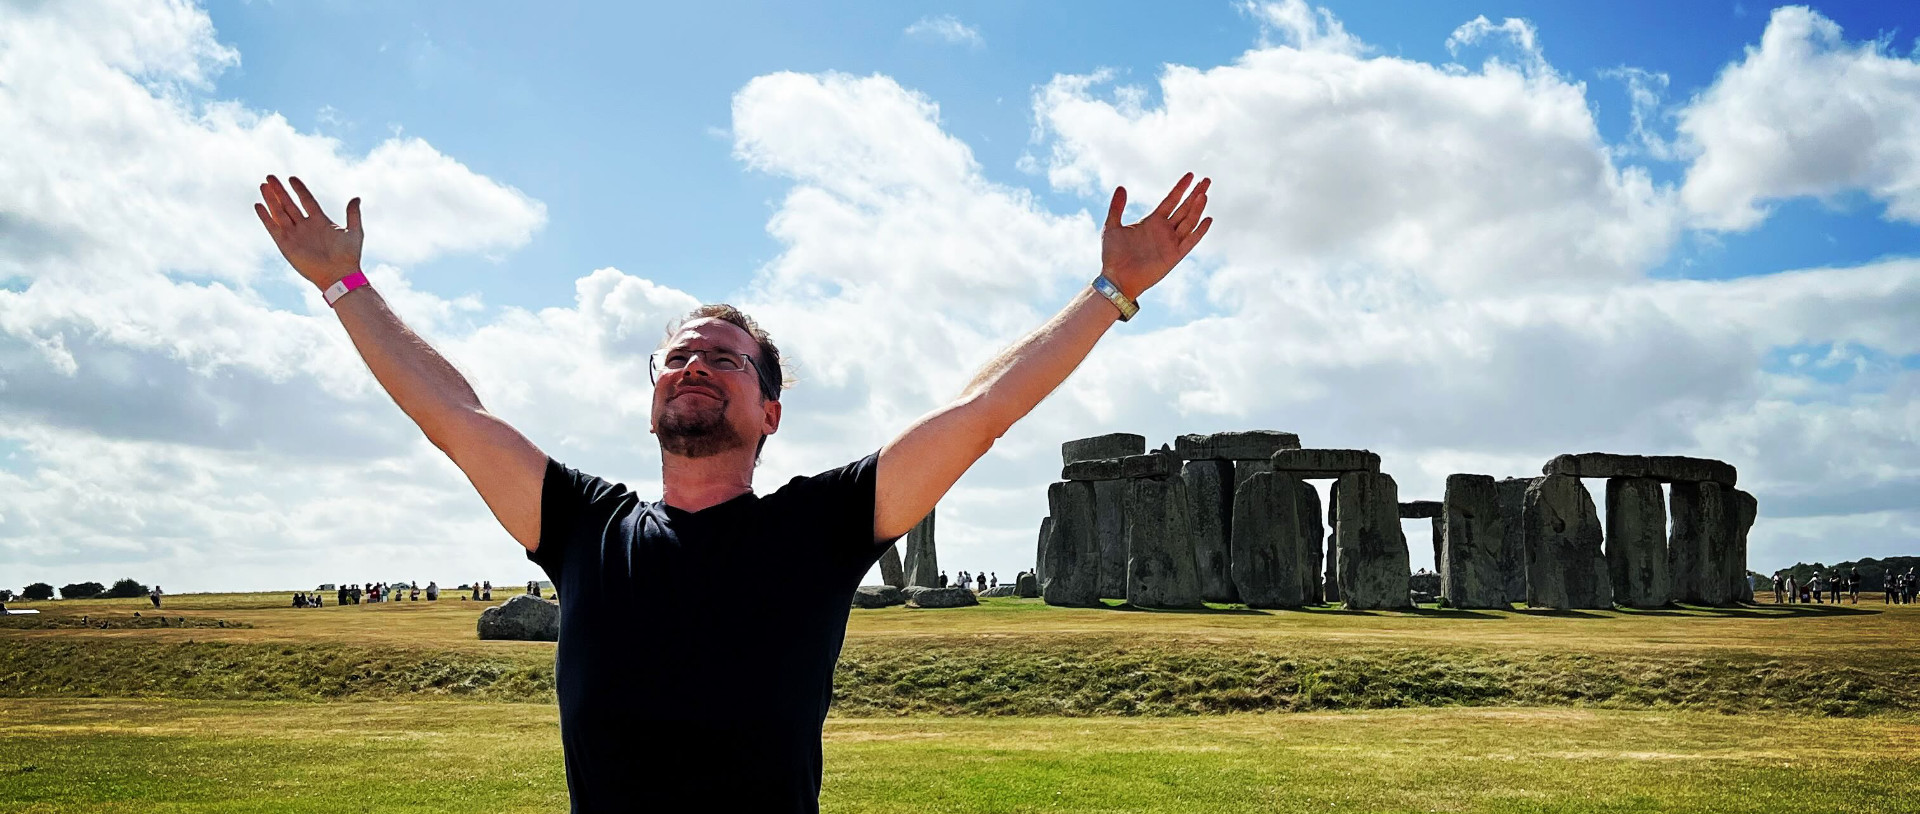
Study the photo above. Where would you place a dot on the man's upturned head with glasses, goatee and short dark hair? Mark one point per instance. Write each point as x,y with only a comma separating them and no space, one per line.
702,408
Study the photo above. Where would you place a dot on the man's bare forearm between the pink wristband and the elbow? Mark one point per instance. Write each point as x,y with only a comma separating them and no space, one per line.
420,379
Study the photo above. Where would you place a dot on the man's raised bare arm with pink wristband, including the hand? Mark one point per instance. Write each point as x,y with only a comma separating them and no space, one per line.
498,460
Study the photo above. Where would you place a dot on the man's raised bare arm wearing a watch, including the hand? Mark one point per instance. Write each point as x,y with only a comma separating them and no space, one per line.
924,462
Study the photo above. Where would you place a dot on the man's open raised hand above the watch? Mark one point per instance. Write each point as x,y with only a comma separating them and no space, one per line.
1140,256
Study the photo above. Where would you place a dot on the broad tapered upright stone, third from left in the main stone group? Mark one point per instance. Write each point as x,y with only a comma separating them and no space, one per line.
1161,556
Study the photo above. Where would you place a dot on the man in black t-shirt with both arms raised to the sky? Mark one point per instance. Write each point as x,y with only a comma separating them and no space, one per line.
669,698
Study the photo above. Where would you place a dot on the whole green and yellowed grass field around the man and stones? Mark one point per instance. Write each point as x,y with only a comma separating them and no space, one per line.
1005,707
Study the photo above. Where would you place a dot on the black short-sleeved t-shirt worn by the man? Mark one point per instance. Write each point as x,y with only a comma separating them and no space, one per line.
696,659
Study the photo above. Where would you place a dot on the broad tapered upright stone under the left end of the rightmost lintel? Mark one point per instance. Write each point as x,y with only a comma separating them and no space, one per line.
1566,567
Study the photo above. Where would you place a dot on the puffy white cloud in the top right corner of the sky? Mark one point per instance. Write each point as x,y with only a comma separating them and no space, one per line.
1804,114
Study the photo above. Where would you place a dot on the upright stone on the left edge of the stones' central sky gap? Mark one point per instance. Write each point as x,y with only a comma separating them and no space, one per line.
1374,552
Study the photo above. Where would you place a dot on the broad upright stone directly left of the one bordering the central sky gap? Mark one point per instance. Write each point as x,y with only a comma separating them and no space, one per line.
1270,560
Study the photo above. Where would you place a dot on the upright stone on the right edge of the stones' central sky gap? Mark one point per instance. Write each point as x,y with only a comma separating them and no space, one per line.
1474,535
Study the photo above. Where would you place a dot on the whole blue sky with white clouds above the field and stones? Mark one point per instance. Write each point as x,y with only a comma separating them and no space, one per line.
1464,235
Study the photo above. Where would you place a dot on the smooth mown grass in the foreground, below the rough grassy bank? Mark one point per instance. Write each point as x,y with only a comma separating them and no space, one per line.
483,757
